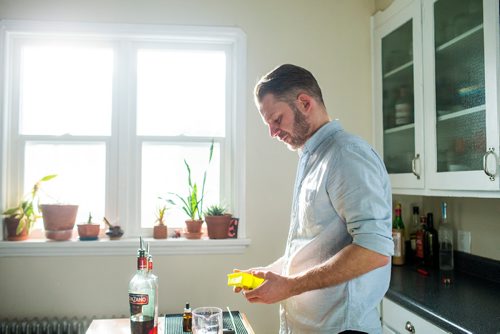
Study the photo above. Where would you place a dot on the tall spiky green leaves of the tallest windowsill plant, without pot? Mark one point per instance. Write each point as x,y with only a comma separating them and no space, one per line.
192,204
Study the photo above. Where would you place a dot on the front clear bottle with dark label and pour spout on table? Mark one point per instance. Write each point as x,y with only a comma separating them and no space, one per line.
141,296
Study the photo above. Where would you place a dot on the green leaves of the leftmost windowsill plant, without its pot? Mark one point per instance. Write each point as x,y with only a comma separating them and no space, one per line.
27,211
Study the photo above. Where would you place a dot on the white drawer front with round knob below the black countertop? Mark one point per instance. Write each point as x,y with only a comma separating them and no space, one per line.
397,319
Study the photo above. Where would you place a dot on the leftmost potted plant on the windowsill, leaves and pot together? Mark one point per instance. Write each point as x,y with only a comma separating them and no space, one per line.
20,219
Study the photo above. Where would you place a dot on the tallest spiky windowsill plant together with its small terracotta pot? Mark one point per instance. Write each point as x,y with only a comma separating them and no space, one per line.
192,204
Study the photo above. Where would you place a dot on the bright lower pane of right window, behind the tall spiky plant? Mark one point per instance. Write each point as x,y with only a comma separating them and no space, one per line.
164,172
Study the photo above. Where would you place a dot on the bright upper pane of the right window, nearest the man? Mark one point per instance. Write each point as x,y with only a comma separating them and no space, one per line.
181,92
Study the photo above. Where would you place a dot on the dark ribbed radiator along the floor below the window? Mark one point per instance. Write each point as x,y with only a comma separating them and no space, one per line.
45,326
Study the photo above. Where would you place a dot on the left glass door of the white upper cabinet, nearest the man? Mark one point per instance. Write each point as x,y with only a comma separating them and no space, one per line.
398,96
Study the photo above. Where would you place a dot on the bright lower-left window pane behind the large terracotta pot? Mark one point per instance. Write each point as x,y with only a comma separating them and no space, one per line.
80,169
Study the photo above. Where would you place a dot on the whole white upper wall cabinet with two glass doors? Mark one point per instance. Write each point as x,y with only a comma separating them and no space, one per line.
436,118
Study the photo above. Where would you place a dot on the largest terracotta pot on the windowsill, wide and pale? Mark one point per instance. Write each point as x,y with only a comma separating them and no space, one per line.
59,220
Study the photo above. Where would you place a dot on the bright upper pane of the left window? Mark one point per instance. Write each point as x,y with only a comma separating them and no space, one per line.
66,90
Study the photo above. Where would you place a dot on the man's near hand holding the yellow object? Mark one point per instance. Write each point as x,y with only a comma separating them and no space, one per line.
274,289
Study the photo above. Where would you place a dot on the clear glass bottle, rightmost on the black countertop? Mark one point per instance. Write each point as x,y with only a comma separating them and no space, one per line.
445,245
